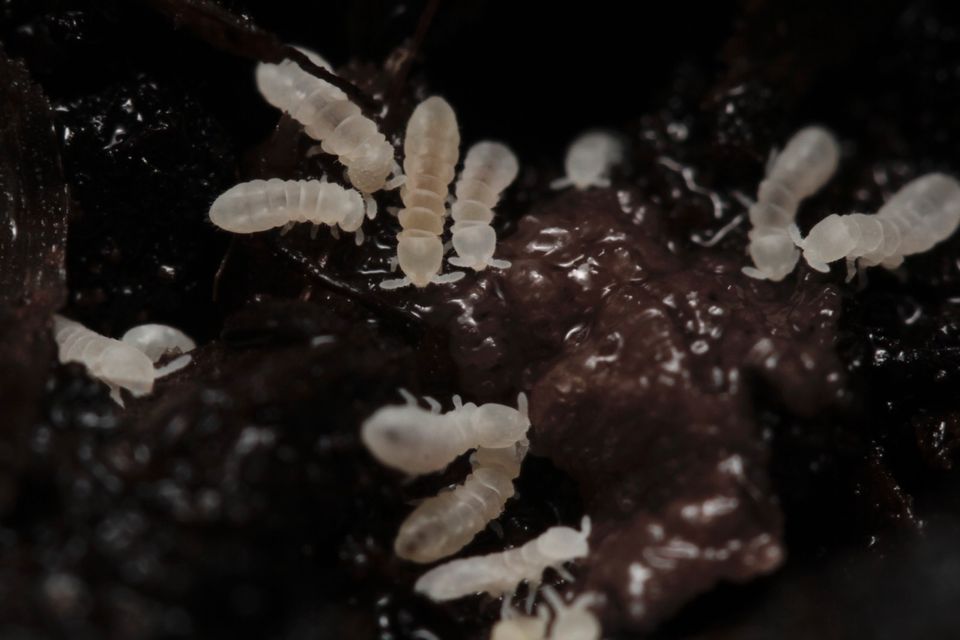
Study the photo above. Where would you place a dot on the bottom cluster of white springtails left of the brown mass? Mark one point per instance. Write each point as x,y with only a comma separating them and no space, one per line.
416,440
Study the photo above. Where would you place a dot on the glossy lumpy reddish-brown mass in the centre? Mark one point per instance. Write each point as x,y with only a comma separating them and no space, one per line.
642,364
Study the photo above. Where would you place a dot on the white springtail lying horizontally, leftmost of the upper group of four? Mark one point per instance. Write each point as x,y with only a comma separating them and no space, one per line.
259,205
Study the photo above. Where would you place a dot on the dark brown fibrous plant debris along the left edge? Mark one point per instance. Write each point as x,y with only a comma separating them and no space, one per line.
33,227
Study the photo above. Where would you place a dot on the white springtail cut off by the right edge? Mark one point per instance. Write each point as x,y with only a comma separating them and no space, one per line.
921,214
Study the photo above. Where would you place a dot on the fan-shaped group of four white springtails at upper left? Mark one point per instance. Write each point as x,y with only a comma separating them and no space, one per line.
431,151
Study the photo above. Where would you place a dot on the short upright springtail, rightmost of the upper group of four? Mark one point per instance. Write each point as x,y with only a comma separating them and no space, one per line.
488,169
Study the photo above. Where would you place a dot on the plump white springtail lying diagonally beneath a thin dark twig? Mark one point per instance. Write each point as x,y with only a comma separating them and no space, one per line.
328,115
